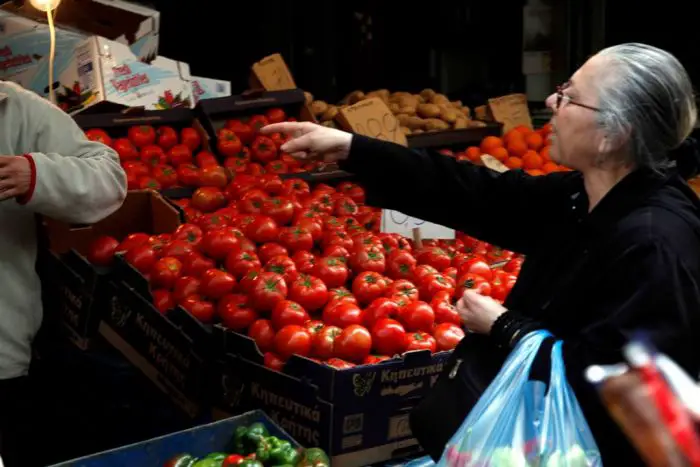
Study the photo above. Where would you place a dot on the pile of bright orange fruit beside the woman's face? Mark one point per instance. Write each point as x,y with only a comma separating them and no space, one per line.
519,148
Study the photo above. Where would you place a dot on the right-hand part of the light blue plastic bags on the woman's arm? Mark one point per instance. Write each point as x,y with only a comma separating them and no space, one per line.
565,439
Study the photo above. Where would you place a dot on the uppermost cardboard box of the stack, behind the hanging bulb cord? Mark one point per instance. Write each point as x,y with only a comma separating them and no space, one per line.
25,40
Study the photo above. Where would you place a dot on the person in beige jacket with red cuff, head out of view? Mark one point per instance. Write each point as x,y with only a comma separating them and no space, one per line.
47,167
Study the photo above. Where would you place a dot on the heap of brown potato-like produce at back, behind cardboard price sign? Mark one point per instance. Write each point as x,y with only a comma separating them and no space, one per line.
427,111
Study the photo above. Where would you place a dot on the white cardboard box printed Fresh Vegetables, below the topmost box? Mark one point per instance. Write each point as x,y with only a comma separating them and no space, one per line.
109,78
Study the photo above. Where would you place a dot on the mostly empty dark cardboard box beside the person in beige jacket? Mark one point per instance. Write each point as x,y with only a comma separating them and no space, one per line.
79,291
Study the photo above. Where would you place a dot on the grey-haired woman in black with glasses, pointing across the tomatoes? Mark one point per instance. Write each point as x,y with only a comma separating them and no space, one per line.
613,247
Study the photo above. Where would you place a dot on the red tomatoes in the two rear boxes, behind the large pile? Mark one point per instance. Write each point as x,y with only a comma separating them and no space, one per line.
163,157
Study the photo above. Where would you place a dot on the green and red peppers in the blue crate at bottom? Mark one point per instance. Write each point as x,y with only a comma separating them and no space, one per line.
254,447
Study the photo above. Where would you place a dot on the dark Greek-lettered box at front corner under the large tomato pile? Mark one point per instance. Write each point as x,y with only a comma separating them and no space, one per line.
359,416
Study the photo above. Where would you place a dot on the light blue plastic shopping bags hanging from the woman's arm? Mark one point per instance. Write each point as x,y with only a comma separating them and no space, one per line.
518,423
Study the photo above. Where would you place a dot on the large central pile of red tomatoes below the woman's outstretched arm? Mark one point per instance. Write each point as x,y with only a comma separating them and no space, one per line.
304,271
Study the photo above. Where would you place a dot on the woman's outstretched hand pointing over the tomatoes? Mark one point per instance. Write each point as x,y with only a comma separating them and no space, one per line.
311,141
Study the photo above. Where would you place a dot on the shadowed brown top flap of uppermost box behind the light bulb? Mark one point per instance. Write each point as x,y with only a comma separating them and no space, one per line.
86,15
